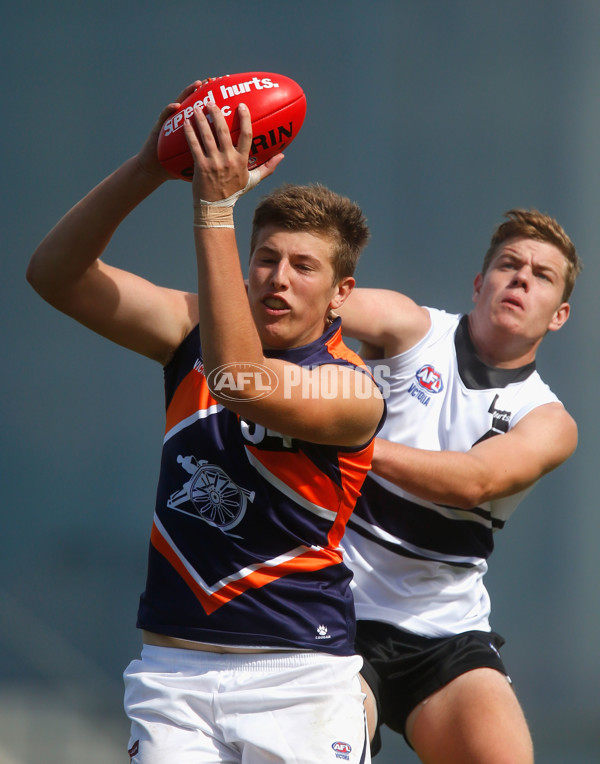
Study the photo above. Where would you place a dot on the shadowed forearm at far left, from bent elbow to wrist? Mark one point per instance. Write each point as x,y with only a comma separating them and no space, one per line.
76,242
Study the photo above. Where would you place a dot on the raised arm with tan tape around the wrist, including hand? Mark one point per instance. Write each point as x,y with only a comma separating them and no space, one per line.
227,329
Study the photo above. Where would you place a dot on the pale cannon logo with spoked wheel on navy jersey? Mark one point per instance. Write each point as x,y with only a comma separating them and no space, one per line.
210,494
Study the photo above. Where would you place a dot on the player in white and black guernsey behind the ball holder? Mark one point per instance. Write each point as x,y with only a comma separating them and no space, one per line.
470,428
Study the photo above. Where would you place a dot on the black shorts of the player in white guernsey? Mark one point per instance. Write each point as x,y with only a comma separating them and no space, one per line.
403,669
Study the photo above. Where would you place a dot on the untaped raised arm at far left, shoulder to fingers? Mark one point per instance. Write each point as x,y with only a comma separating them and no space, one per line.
67,272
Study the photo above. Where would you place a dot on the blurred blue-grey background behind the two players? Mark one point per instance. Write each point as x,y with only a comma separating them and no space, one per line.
437,117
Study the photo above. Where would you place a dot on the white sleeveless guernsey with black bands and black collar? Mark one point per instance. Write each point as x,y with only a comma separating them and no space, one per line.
416,564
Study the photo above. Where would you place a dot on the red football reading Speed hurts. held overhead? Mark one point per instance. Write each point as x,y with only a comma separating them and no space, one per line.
277,106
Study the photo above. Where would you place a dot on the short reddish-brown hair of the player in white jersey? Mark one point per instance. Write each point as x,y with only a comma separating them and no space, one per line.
532,224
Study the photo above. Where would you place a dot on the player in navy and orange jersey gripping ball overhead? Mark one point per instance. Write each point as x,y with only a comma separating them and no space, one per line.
247,616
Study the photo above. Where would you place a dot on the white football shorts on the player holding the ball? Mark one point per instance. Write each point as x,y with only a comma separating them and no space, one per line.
197,707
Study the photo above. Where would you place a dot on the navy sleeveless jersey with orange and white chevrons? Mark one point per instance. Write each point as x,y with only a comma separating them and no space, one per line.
244,547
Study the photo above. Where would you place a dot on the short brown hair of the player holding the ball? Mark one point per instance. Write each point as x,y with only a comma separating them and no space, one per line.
316,209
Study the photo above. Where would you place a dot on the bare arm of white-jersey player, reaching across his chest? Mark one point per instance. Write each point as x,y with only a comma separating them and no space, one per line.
499,466
